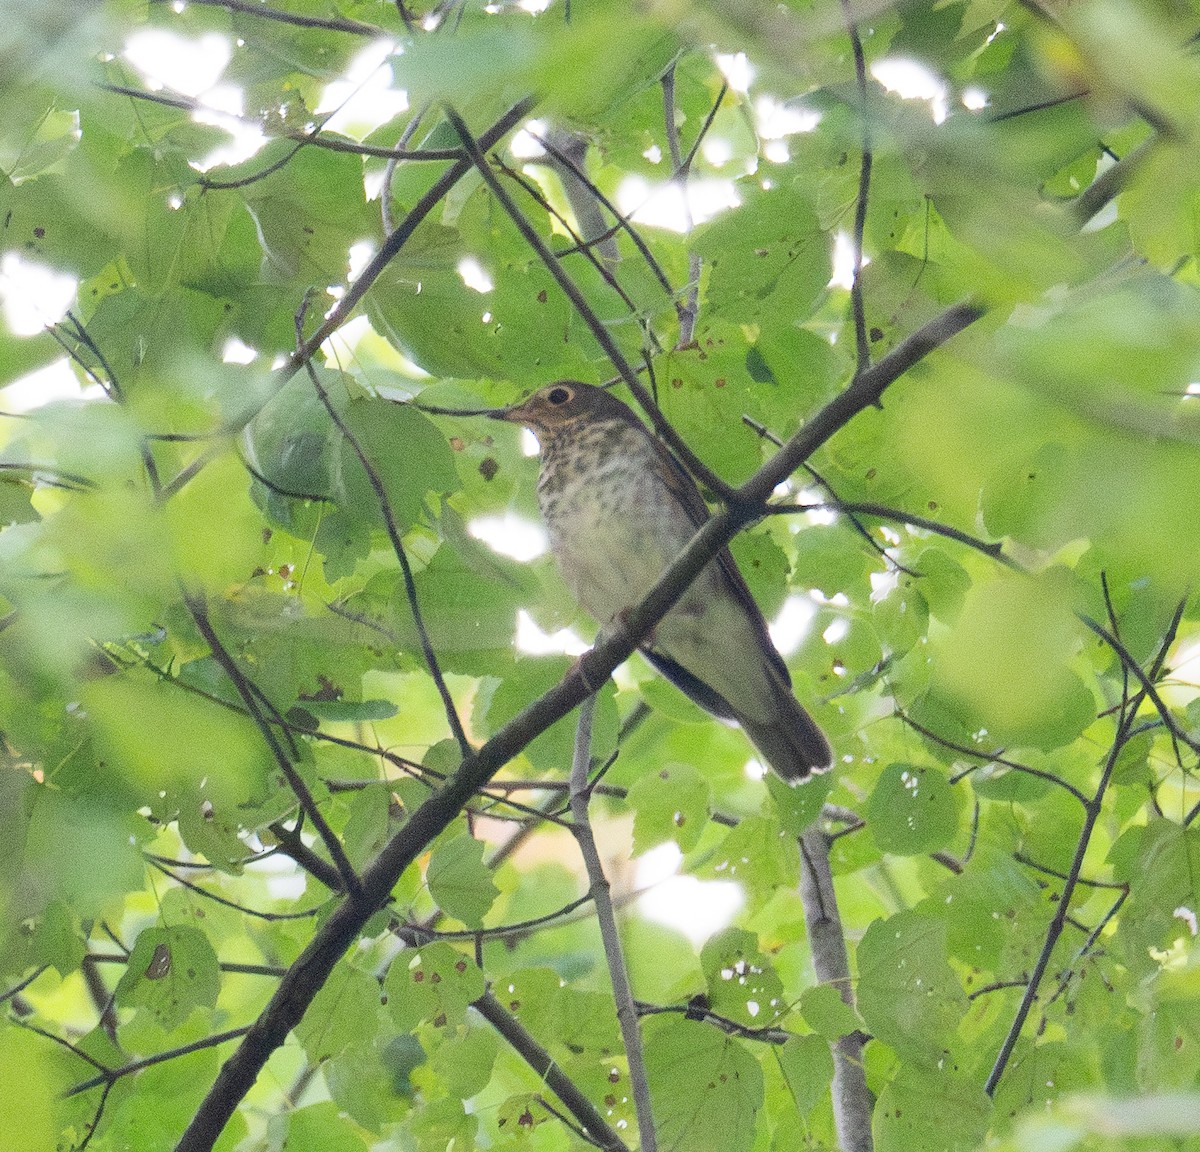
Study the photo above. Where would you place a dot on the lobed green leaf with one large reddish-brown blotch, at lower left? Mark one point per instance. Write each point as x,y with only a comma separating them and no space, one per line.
171,973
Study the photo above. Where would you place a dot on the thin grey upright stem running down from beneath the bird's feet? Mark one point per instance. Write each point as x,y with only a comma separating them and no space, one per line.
602,895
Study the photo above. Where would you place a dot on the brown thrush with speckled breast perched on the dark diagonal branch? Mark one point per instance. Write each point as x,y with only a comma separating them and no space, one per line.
619,509
